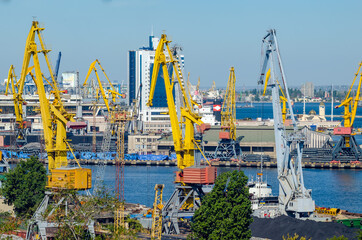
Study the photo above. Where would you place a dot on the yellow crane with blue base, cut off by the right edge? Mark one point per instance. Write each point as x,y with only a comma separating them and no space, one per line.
347,144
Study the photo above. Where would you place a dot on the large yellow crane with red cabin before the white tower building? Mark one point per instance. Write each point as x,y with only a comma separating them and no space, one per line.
186,197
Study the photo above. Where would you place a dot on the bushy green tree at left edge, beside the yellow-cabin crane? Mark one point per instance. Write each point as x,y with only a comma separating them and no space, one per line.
24,186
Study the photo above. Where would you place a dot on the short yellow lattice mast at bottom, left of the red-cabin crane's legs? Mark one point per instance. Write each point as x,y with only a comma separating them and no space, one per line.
156,230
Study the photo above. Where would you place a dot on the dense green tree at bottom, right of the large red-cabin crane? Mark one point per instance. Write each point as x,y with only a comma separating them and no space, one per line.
225,213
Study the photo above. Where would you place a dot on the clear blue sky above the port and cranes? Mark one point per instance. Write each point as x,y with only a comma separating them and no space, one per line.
320,41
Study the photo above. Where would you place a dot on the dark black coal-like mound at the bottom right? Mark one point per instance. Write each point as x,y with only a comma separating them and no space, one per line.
282,226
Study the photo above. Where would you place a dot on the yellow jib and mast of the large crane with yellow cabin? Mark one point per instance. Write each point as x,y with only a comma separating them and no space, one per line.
54,116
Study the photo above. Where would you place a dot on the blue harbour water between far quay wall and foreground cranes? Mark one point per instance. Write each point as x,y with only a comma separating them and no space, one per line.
340,188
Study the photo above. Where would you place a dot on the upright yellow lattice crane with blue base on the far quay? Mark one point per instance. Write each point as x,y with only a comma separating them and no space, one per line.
229,145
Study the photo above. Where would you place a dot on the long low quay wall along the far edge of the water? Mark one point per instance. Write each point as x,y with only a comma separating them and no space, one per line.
272,164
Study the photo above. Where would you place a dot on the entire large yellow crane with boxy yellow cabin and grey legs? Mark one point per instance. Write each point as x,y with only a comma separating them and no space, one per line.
54,120
